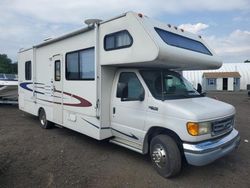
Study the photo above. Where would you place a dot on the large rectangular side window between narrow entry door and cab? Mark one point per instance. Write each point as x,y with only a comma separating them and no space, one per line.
80,65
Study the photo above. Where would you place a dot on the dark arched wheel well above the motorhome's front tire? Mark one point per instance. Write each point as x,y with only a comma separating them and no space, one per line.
154,131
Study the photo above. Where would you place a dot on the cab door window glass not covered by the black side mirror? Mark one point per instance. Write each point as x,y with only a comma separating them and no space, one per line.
134,89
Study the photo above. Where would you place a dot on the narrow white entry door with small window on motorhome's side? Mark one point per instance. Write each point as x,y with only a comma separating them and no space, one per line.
57,89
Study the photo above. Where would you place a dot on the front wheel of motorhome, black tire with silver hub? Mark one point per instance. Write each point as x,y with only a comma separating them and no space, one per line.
165,156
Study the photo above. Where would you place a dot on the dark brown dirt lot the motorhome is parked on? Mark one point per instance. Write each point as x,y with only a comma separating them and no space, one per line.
33,157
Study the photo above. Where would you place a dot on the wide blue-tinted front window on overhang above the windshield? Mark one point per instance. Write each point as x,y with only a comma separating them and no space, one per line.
182,42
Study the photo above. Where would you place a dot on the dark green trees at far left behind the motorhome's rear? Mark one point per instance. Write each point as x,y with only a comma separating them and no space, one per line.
6,65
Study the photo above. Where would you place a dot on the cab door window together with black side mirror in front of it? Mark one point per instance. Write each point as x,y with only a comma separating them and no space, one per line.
129,87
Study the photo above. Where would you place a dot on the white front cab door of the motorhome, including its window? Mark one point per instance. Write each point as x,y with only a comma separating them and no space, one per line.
128,115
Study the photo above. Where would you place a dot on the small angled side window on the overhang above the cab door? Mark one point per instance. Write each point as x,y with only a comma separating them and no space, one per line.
118,40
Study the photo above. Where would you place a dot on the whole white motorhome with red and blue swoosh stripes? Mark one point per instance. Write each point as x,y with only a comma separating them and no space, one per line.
119,79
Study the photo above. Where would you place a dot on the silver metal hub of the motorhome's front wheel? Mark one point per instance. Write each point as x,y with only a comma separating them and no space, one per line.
159,156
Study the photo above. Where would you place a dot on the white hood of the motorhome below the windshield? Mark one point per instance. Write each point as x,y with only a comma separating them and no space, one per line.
198,109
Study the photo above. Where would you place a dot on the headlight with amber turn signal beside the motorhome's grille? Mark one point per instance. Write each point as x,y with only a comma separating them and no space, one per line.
196,129
